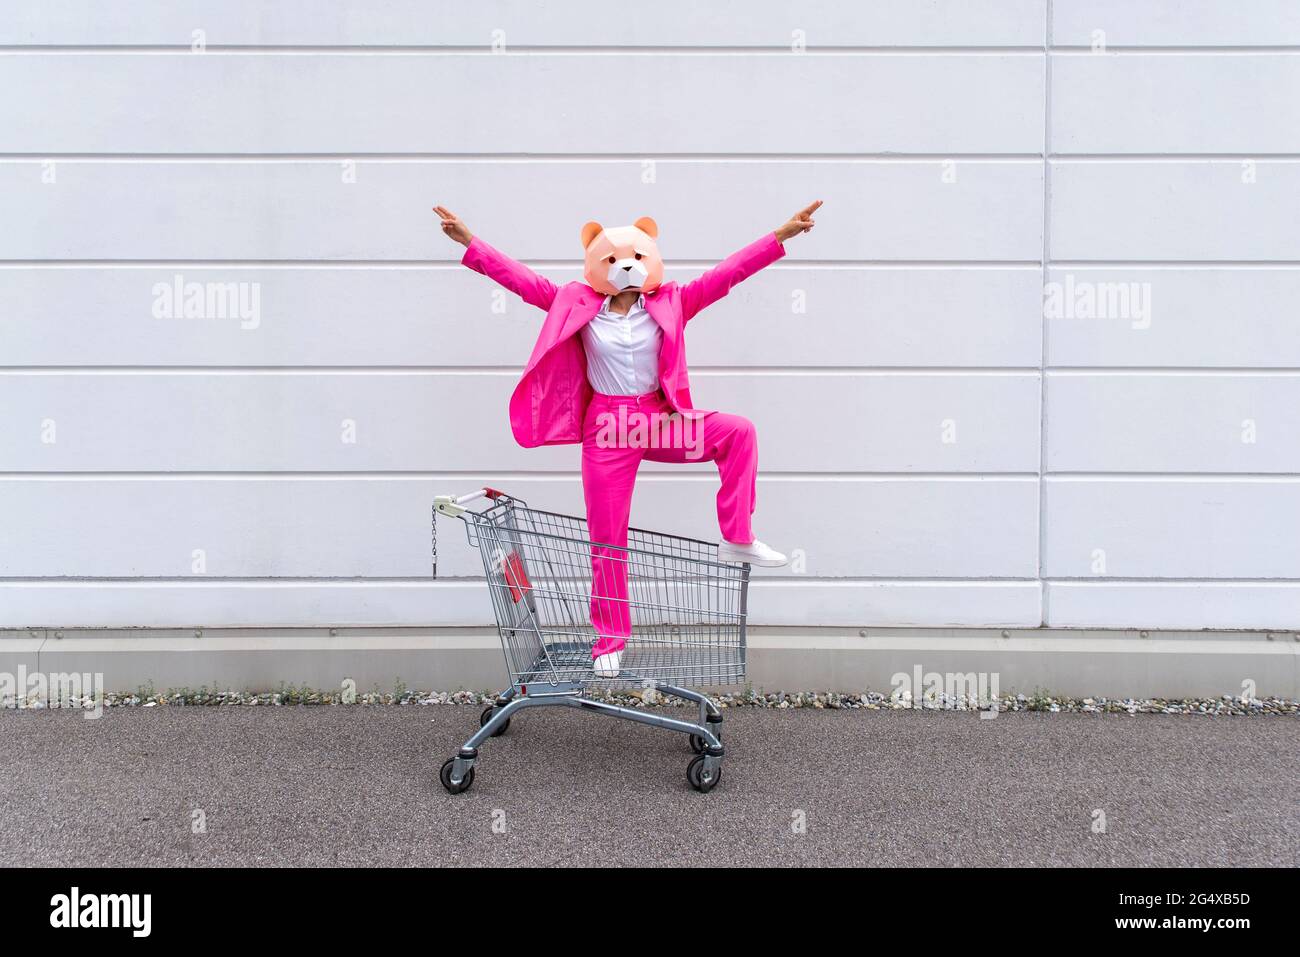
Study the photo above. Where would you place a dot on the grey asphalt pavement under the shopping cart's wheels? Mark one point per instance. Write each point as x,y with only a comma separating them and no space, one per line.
358,786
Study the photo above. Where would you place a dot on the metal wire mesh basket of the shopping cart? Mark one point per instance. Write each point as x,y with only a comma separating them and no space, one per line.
686,610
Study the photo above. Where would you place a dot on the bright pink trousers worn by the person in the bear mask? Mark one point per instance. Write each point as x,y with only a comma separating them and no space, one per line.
619,432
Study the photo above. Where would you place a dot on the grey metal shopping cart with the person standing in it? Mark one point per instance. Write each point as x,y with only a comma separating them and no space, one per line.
687,613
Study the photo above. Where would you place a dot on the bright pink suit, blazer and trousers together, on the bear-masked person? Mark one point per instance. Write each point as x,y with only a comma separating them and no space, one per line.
554,405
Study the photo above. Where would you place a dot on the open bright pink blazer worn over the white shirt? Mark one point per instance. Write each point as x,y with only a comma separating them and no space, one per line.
549,402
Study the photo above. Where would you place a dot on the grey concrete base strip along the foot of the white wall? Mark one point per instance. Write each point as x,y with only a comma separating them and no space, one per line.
1059,662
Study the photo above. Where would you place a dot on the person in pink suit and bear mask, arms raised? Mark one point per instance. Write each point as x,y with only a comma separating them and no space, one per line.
609,371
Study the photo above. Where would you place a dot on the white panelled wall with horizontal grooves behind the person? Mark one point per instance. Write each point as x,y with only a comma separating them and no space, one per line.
968,151
